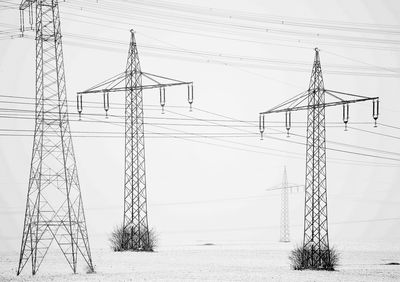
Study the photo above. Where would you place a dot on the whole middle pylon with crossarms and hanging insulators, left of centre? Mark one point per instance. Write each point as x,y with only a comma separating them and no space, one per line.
135,221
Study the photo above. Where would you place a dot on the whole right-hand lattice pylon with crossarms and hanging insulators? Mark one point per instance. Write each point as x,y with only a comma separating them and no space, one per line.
316,253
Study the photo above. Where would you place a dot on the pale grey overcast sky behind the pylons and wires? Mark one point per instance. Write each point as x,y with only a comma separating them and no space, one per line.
207,189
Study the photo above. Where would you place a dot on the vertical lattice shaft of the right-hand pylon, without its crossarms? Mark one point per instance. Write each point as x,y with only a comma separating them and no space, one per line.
315,239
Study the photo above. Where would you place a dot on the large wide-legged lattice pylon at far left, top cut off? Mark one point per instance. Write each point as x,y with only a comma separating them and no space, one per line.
54,207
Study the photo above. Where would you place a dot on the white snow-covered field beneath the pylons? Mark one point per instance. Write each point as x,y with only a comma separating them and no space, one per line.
230,262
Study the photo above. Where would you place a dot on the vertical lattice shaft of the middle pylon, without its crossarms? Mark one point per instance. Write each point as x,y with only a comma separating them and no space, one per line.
135,223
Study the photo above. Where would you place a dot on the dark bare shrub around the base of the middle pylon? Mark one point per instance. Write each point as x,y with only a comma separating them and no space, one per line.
118,238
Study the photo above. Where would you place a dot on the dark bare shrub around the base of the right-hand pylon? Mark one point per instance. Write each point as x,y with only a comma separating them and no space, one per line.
304,258
